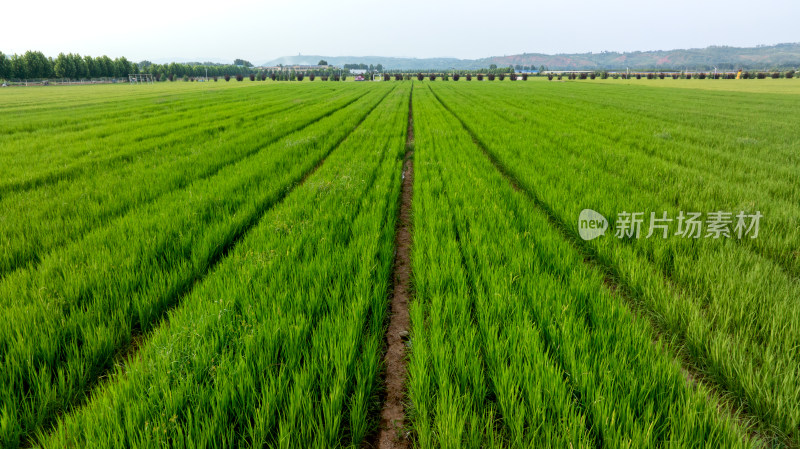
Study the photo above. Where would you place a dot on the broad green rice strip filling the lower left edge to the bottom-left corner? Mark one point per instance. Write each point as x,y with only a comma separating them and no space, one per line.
69,316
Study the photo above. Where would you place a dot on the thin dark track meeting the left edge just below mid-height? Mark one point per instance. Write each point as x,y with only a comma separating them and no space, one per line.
106,219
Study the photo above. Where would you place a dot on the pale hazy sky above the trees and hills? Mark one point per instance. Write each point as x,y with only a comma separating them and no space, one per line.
260,30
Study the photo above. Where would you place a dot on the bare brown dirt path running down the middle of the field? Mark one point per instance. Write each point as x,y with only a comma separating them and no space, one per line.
391,434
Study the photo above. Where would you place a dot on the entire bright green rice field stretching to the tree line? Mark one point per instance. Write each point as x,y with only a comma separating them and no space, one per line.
215,264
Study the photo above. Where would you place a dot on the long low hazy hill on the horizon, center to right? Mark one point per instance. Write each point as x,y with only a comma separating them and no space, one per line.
722,57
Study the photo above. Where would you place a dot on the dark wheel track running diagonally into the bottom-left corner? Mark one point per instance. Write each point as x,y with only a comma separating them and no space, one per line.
130,350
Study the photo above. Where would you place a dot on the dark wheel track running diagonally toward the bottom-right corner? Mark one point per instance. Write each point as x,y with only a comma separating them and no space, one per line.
762,433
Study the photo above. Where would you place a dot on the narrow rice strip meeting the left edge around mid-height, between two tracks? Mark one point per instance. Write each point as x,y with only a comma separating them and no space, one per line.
39,220
